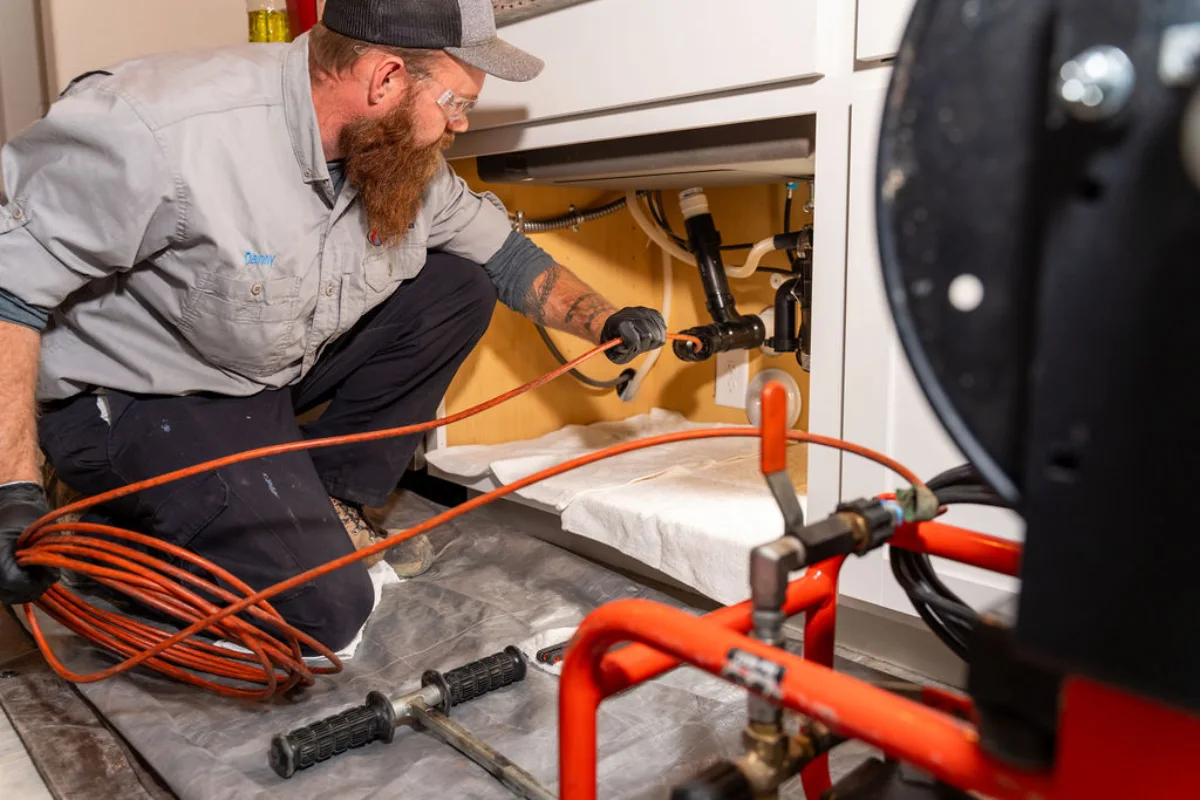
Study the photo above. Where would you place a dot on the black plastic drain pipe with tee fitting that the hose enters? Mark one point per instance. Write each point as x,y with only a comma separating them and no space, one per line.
730,330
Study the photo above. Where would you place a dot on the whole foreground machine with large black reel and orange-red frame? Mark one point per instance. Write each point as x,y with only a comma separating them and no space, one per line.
1040,152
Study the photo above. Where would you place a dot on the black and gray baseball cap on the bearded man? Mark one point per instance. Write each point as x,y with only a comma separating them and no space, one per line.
466,29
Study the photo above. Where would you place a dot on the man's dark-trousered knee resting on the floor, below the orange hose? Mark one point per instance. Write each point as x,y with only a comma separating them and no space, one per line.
334,607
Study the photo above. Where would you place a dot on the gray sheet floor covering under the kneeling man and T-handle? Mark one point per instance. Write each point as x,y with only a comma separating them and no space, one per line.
491,587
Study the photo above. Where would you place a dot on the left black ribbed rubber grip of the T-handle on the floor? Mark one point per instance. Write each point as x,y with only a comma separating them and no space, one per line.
352,729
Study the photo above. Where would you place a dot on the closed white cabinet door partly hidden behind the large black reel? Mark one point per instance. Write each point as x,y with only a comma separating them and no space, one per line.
884,407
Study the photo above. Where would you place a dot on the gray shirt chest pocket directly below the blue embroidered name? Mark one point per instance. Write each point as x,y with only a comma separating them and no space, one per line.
245,326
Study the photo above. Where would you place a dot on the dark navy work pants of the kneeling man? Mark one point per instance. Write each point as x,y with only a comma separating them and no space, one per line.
271,519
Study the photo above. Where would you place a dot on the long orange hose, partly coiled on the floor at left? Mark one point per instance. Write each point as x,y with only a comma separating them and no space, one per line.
274,664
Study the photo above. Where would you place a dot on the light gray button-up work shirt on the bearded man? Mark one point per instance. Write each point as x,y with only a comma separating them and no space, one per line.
178,214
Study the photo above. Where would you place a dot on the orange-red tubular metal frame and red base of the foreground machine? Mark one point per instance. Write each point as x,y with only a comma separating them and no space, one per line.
1111,744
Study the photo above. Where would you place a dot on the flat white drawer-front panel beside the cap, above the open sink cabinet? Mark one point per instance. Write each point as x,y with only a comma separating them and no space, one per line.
621,53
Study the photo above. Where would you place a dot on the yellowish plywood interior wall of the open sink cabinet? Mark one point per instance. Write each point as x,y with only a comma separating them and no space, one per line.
614,257
